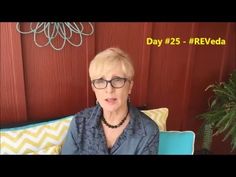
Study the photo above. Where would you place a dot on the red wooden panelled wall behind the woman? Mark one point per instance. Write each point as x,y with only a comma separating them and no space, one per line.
41,83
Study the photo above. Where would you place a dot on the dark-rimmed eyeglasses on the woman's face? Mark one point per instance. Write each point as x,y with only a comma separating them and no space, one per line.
115,83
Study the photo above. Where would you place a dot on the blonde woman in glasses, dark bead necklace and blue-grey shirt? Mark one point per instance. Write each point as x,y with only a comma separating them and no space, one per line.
113,126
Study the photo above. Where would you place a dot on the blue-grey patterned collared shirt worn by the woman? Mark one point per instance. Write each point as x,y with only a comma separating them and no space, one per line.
86,135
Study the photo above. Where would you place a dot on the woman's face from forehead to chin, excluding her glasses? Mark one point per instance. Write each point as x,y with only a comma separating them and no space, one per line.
113,99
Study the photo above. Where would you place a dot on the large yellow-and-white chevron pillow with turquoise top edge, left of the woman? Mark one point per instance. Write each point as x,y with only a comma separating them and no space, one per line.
40,138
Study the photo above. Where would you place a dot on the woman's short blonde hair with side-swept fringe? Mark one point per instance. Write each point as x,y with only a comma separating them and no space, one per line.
109,59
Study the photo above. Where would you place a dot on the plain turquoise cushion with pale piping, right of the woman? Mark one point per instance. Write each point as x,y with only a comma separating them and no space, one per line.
176,143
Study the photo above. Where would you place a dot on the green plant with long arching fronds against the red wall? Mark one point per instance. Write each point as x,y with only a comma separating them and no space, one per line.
221,116
